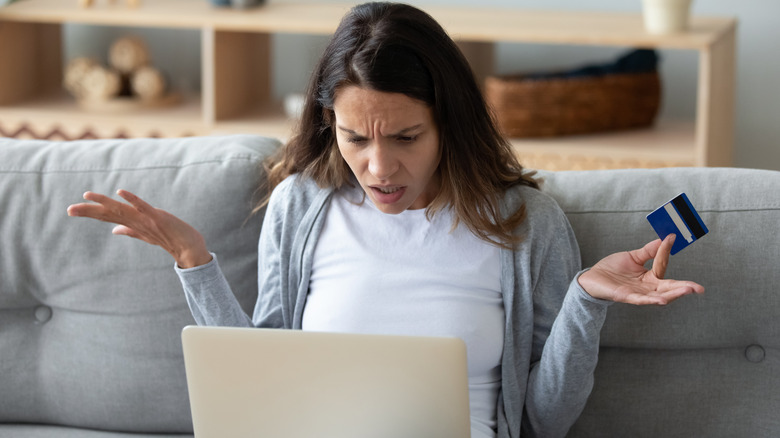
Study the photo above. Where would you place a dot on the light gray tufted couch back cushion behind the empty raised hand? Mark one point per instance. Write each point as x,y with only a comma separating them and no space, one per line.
90,322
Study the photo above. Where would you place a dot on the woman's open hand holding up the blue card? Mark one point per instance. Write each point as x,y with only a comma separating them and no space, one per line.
622,277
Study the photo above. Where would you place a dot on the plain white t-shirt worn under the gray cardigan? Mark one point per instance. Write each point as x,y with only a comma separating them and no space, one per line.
403,274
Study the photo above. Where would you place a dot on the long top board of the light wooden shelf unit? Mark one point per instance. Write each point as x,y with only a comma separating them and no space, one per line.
467,23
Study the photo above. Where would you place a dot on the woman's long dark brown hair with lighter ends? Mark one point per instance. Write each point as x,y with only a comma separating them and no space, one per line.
396,48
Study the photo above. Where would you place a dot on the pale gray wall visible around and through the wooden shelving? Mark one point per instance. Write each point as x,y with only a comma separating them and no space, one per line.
758,34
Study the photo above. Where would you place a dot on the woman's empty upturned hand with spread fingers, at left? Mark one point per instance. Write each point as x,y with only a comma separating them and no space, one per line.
140,220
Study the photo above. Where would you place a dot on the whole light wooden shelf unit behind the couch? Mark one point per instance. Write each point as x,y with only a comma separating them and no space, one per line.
236,64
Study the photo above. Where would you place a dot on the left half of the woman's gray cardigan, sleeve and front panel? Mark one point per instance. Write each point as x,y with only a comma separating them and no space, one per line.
287,238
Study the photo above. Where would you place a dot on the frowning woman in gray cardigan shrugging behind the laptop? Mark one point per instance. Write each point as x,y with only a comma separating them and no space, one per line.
398,208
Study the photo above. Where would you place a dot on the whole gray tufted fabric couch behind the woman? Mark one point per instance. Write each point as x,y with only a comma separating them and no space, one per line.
90,322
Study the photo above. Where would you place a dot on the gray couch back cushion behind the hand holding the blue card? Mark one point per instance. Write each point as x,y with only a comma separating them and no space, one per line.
704,366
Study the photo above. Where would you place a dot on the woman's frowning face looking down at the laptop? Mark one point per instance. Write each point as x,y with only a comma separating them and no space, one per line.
391,143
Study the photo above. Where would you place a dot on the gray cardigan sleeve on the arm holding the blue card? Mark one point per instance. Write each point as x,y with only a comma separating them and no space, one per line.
566,332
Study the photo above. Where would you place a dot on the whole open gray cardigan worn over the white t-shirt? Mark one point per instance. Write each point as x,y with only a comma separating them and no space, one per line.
552,325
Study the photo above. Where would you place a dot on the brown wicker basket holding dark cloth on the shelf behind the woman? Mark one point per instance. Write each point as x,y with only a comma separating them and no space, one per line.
566,106
